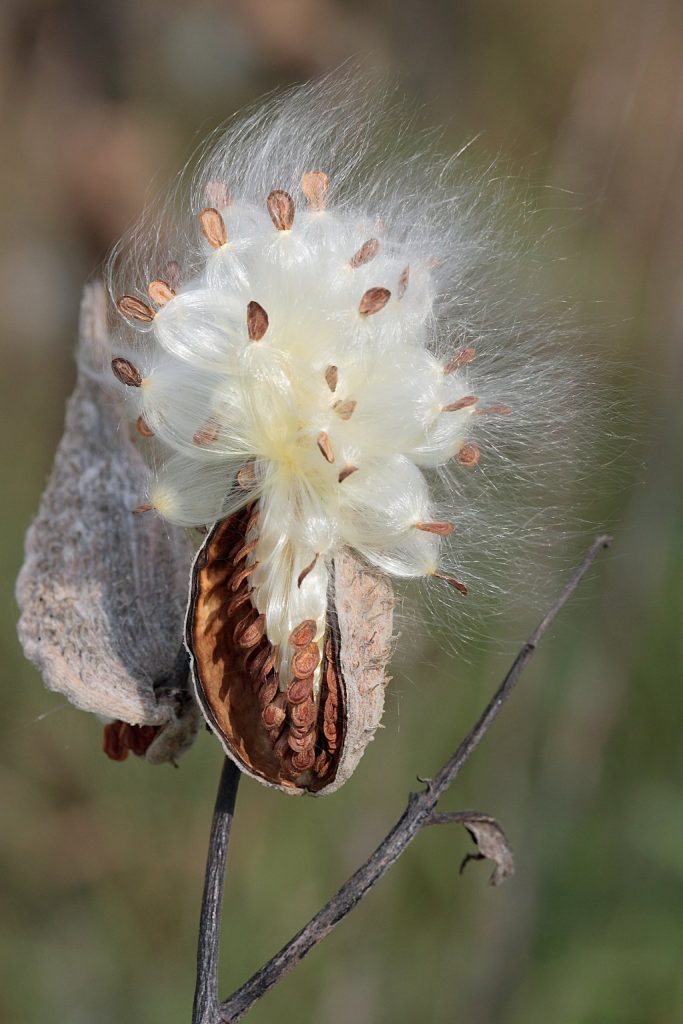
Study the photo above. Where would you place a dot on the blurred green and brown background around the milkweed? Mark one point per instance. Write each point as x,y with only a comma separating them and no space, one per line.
102,864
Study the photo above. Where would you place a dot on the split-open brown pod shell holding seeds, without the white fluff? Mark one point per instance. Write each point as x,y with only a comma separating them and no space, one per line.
301,722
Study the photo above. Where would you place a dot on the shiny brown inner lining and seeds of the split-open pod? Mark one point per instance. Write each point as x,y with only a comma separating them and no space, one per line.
279,735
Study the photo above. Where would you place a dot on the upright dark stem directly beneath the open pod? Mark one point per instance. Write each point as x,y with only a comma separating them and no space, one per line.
206,1009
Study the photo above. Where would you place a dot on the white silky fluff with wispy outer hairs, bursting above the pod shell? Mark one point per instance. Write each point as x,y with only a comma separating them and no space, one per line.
323,331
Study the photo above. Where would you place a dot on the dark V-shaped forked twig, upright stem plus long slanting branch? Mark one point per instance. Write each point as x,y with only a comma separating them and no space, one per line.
417,815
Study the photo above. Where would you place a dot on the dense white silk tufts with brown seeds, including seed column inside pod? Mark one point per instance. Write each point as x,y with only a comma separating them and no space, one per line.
294,377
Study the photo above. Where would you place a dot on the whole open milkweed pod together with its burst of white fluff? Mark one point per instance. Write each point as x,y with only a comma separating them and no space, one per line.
301,345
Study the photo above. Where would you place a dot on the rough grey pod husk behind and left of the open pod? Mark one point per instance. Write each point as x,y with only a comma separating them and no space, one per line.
102,591
